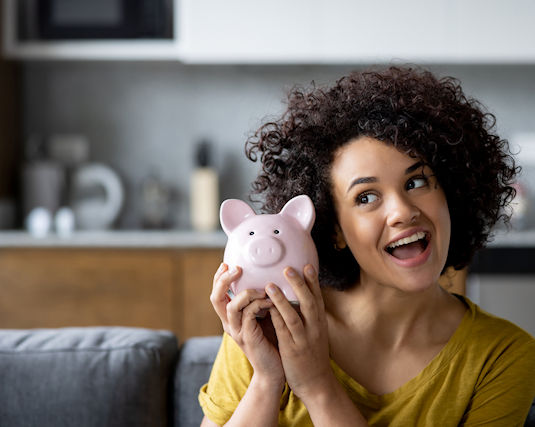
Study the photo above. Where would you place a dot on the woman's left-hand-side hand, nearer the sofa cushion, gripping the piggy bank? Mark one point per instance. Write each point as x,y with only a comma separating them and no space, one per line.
239,319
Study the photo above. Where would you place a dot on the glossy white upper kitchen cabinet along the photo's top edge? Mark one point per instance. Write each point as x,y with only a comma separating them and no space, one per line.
322,31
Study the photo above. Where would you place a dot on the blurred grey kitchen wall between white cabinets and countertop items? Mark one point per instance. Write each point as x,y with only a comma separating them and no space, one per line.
146,116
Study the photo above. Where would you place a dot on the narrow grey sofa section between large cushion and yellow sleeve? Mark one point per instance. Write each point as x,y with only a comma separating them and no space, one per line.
197,356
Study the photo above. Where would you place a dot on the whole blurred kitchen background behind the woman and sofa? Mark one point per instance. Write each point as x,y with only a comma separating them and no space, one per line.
118,146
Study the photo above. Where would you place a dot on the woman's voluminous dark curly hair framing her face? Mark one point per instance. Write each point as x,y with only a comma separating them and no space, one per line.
421,115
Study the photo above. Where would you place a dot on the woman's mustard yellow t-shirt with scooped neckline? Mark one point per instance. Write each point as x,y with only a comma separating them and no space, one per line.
485,375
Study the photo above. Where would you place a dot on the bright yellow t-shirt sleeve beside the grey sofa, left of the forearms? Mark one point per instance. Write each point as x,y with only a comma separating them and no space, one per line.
229,380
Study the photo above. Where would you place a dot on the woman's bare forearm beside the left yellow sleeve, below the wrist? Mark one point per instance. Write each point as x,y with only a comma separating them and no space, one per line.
259,405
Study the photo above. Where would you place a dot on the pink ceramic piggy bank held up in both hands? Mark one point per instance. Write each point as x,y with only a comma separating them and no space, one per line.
263,245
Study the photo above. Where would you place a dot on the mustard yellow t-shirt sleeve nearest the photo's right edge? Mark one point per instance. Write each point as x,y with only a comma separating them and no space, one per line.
506,388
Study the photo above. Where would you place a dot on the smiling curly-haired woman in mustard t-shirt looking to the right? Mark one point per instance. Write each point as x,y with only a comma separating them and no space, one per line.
407,179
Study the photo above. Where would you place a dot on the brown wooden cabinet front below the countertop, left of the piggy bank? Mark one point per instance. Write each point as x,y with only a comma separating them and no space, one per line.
161,289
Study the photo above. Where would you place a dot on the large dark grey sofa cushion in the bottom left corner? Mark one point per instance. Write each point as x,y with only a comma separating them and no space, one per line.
110,376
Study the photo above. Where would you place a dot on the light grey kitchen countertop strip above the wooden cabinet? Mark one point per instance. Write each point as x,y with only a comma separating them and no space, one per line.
183,239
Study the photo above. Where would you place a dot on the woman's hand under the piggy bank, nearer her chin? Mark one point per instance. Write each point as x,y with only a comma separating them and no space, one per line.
302,337
